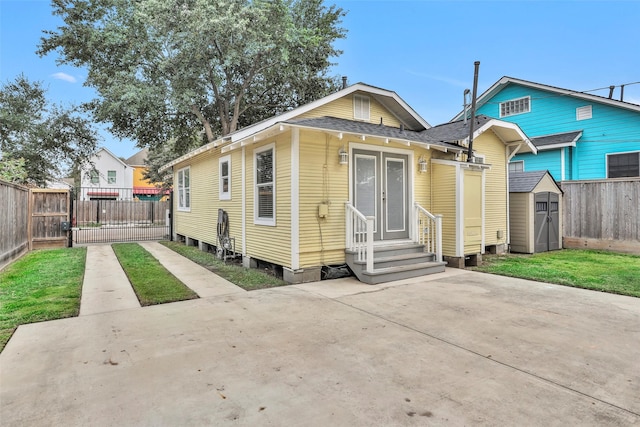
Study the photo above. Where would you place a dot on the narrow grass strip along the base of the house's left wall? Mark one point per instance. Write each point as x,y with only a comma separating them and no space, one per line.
247,278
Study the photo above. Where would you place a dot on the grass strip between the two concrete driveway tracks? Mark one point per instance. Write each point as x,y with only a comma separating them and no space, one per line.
152,283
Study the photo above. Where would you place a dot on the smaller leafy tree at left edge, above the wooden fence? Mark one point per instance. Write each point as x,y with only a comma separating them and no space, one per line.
43,140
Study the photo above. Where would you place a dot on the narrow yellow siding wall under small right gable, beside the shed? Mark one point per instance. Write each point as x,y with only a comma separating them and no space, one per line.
496,195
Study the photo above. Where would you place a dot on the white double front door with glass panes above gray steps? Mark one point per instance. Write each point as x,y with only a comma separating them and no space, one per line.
381,190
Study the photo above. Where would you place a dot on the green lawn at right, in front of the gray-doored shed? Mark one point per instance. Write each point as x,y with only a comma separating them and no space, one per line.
597,270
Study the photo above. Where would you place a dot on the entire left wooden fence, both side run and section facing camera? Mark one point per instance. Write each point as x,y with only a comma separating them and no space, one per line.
31,219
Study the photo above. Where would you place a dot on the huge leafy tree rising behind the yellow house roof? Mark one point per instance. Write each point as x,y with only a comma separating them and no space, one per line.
189,71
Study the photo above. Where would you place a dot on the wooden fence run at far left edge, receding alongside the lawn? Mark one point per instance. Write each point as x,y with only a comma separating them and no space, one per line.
14,221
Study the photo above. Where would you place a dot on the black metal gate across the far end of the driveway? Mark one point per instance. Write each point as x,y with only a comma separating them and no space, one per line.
104,215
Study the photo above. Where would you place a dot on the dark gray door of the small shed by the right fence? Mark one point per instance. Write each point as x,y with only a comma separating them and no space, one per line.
547,225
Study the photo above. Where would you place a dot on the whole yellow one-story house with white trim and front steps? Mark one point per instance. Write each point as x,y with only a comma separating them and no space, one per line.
356,178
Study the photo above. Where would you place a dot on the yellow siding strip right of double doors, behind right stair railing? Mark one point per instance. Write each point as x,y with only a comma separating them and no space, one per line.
444,203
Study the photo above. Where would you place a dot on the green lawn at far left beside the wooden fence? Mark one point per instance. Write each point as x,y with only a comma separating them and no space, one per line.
42,285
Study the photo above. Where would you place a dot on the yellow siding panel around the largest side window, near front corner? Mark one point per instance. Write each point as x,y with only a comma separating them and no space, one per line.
265,242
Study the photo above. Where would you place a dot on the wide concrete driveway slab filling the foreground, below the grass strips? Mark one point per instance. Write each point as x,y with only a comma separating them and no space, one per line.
457,348
